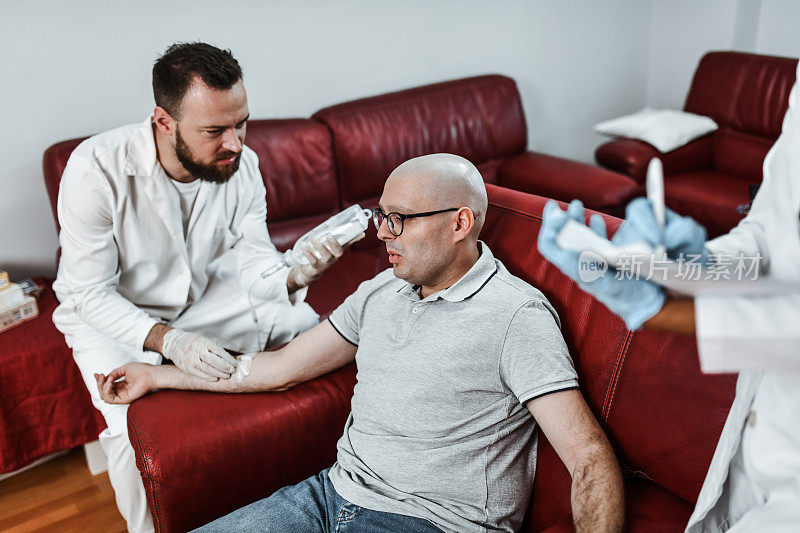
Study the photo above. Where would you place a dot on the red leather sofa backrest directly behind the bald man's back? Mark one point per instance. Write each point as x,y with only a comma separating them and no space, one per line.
662,415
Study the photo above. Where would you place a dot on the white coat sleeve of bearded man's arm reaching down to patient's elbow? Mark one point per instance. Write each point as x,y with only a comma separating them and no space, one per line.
89,256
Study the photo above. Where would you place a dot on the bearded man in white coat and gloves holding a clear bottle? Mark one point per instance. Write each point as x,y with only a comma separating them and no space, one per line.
163,239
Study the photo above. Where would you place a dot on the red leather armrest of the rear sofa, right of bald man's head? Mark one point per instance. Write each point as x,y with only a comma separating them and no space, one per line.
562,179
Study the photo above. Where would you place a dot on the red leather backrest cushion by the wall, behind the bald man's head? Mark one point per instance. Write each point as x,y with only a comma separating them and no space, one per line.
479,118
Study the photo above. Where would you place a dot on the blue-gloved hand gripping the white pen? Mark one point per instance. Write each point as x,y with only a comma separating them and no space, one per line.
680,235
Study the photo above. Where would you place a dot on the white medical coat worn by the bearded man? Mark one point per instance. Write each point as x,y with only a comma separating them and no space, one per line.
126,264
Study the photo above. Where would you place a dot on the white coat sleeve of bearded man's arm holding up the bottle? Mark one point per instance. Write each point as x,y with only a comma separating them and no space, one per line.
255,251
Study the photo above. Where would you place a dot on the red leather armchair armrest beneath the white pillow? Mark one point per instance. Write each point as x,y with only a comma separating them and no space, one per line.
630,157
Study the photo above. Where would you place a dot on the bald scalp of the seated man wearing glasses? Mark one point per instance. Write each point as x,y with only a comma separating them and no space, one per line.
446,180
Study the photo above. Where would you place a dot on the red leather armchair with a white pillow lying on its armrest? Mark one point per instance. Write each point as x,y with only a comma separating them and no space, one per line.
747,95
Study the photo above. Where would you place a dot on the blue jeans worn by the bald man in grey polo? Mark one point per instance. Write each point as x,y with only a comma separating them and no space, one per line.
313,505
